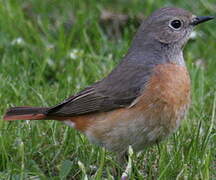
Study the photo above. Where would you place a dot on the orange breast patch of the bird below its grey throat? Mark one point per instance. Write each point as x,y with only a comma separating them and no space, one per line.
166,95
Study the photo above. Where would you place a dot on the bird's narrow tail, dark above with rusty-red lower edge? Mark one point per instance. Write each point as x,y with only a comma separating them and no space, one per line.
25,113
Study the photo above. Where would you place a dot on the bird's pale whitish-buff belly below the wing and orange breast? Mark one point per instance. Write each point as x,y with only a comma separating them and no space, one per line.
135,128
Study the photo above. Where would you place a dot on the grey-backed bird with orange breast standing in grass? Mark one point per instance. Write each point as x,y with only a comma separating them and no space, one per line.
143,99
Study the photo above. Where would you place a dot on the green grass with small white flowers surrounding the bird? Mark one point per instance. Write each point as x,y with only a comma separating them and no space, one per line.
36,38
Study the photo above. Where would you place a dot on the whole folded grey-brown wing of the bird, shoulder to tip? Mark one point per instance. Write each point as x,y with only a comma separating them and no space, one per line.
118,90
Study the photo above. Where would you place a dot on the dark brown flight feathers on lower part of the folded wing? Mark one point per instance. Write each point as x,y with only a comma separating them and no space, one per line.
88,101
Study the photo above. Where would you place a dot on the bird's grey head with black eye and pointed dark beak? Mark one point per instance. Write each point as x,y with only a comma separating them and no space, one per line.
162,35
